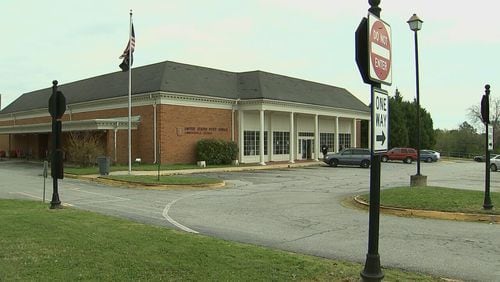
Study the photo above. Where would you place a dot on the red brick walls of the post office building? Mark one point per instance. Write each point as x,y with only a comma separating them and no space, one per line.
178,130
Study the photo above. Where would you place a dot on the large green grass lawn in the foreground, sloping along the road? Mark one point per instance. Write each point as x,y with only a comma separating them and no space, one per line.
39,244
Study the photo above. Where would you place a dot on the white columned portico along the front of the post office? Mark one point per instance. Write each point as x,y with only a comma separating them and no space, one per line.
280,131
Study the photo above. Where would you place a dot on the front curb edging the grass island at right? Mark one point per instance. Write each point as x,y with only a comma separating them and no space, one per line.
489,218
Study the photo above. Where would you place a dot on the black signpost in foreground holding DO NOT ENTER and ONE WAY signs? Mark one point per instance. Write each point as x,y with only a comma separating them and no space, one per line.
374,60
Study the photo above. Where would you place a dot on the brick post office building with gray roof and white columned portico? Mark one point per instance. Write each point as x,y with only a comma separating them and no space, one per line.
271,117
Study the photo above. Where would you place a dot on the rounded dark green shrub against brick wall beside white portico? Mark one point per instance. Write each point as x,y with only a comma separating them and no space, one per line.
215,152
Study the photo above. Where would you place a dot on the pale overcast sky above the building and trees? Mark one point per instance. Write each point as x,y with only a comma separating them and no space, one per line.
313,40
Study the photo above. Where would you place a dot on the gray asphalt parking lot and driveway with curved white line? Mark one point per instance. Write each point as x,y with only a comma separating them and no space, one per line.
300,210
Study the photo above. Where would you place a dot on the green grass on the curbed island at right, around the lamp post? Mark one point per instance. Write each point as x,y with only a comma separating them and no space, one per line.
436,198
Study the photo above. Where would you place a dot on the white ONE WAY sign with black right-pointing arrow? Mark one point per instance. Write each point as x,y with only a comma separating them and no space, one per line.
380,120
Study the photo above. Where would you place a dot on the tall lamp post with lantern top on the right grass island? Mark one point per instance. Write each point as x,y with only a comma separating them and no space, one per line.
415,24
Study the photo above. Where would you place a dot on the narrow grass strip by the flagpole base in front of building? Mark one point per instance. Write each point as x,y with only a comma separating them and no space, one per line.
164,180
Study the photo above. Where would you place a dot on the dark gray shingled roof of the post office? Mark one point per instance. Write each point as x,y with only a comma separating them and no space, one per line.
190,79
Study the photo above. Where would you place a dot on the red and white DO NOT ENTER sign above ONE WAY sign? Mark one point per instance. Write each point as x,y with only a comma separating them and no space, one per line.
380,52
